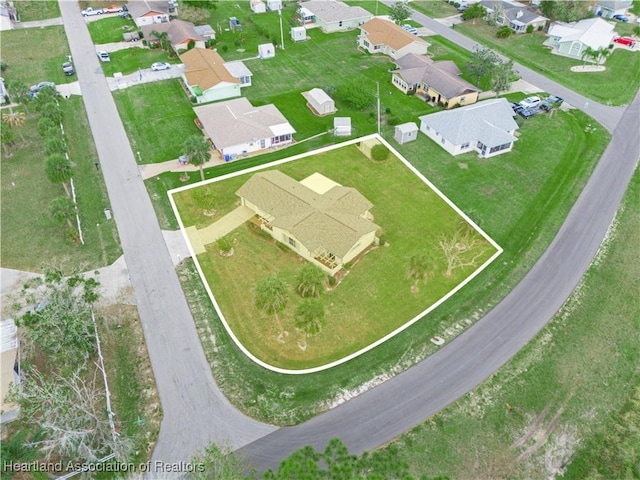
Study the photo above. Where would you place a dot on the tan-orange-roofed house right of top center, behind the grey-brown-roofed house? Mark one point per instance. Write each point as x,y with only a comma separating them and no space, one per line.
384,36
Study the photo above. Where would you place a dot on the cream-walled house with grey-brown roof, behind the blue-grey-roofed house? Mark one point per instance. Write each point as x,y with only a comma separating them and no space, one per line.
435,82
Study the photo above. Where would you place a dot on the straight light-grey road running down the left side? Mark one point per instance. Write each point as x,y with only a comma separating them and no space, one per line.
195,411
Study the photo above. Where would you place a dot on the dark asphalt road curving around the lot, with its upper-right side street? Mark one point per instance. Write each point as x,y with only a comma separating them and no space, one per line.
381,414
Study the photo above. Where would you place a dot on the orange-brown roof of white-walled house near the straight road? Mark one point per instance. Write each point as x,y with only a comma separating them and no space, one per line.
205,68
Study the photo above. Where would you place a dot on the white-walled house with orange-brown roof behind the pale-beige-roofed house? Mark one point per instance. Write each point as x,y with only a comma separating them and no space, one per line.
206,76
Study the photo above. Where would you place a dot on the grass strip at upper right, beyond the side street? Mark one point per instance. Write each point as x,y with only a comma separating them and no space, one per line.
616,86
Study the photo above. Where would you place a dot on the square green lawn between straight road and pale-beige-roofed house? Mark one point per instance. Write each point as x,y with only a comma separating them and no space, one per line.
156,127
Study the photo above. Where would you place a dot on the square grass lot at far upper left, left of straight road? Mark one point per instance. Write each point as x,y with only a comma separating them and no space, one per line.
29,62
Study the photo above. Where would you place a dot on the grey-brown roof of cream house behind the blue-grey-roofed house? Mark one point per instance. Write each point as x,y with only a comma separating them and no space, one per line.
442,76
